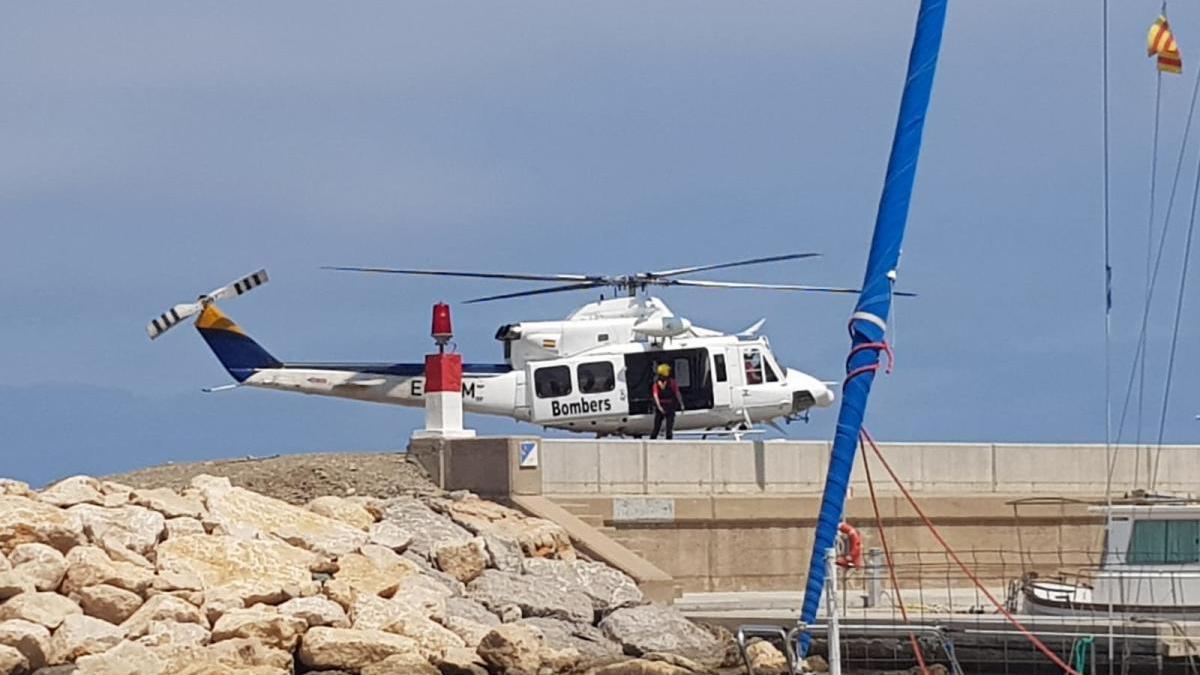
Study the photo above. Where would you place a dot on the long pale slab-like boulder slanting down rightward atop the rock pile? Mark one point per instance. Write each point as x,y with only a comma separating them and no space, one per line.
238,510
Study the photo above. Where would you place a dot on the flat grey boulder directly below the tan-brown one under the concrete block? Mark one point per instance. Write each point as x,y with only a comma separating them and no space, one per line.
537,596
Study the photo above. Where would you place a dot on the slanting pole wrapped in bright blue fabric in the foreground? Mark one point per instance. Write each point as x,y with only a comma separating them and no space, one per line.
868,325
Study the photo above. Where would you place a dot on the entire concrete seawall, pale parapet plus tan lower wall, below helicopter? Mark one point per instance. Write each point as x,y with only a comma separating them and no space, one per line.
727,516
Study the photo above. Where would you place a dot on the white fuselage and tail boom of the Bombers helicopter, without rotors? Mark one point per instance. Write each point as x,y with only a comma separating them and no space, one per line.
725,383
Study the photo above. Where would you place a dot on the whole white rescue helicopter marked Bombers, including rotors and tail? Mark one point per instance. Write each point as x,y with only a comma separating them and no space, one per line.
590,373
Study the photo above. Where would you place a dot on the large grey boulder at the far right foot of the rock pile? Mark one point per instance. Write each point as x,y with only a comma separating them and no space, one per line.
657,629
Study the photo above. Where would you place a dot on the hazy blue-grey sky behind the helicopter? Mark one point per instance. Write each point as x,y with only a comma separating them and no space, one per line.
153,152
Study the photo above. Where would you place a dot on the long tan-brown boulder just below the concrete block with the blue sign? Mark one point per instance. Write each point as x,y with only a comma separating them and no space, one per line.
538,537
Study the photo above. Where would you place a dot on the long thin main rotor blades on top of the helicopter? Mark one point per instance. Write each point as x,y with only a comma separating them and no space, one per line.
631,284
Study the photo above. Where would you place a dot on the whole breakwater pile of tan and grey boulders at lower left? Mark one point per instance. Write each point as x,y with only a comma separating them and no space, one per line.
99,578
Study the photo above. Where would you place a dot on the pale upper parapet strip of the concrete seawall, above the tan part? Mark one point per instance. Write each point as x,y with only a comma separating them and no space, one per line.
722,468
